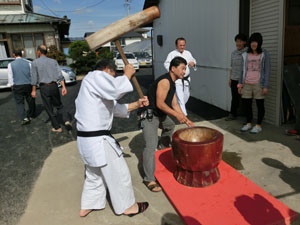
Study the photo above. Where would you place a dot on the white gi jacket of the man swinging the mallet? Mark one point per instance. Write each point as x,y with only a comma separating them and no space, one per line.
96,106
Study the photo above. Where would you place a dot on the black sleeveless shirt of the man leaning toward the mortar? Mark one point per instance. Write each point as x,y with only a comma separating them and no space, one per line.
152,95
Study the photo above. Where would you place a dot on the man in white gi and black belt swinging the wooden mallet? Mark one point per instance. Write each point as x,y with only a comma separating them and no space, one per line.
96,105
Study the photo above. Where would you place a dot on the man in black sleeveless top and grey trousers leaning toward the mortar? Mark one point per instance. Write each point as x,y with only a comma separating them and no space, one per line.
162,104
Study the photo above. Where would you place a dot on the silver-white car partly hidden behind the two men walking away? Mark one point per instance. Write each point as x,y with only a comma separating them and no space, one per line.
67,72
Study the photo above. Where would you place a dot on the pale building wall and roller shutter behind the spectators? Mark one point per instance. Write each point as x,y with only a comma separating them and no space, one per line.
210,27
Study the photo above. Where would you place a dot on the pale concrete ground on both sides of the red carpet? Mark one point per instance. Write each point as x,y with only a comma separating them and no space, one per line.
266,159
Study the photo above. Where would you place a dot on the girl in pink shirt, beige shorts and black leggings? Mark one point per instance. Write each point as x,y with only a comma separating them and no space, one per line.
254,81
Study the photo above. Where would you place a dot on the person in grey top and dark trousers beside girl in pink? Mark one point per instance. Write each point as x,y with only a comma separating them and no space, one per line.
235,73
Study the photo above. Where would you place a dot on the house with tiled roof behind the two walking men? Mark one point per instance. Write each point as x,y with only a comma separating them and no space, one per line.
21,28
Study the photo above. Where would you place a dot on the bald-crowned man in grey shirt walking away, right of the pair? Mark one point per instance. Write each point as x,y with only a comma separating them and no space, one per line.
46,72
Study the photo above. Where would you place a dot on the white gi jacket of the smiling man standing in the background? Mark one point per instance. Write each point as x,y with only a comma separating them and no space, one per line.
187,56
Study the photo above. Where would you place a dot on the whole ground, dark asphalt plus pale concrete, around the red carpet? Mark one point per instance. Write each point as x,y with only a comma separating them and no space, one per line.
41,174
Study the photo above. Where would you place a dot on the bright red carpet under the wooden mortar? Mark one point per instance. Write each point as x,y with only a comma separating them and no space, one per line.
233,200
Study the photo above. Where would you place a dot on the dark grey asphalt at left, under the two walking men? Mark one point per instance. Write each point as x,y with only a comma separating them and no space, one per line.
23,151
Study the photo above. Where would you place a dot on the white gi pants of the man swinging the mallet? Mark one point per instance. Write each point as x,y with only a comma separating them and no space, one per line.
115,176
